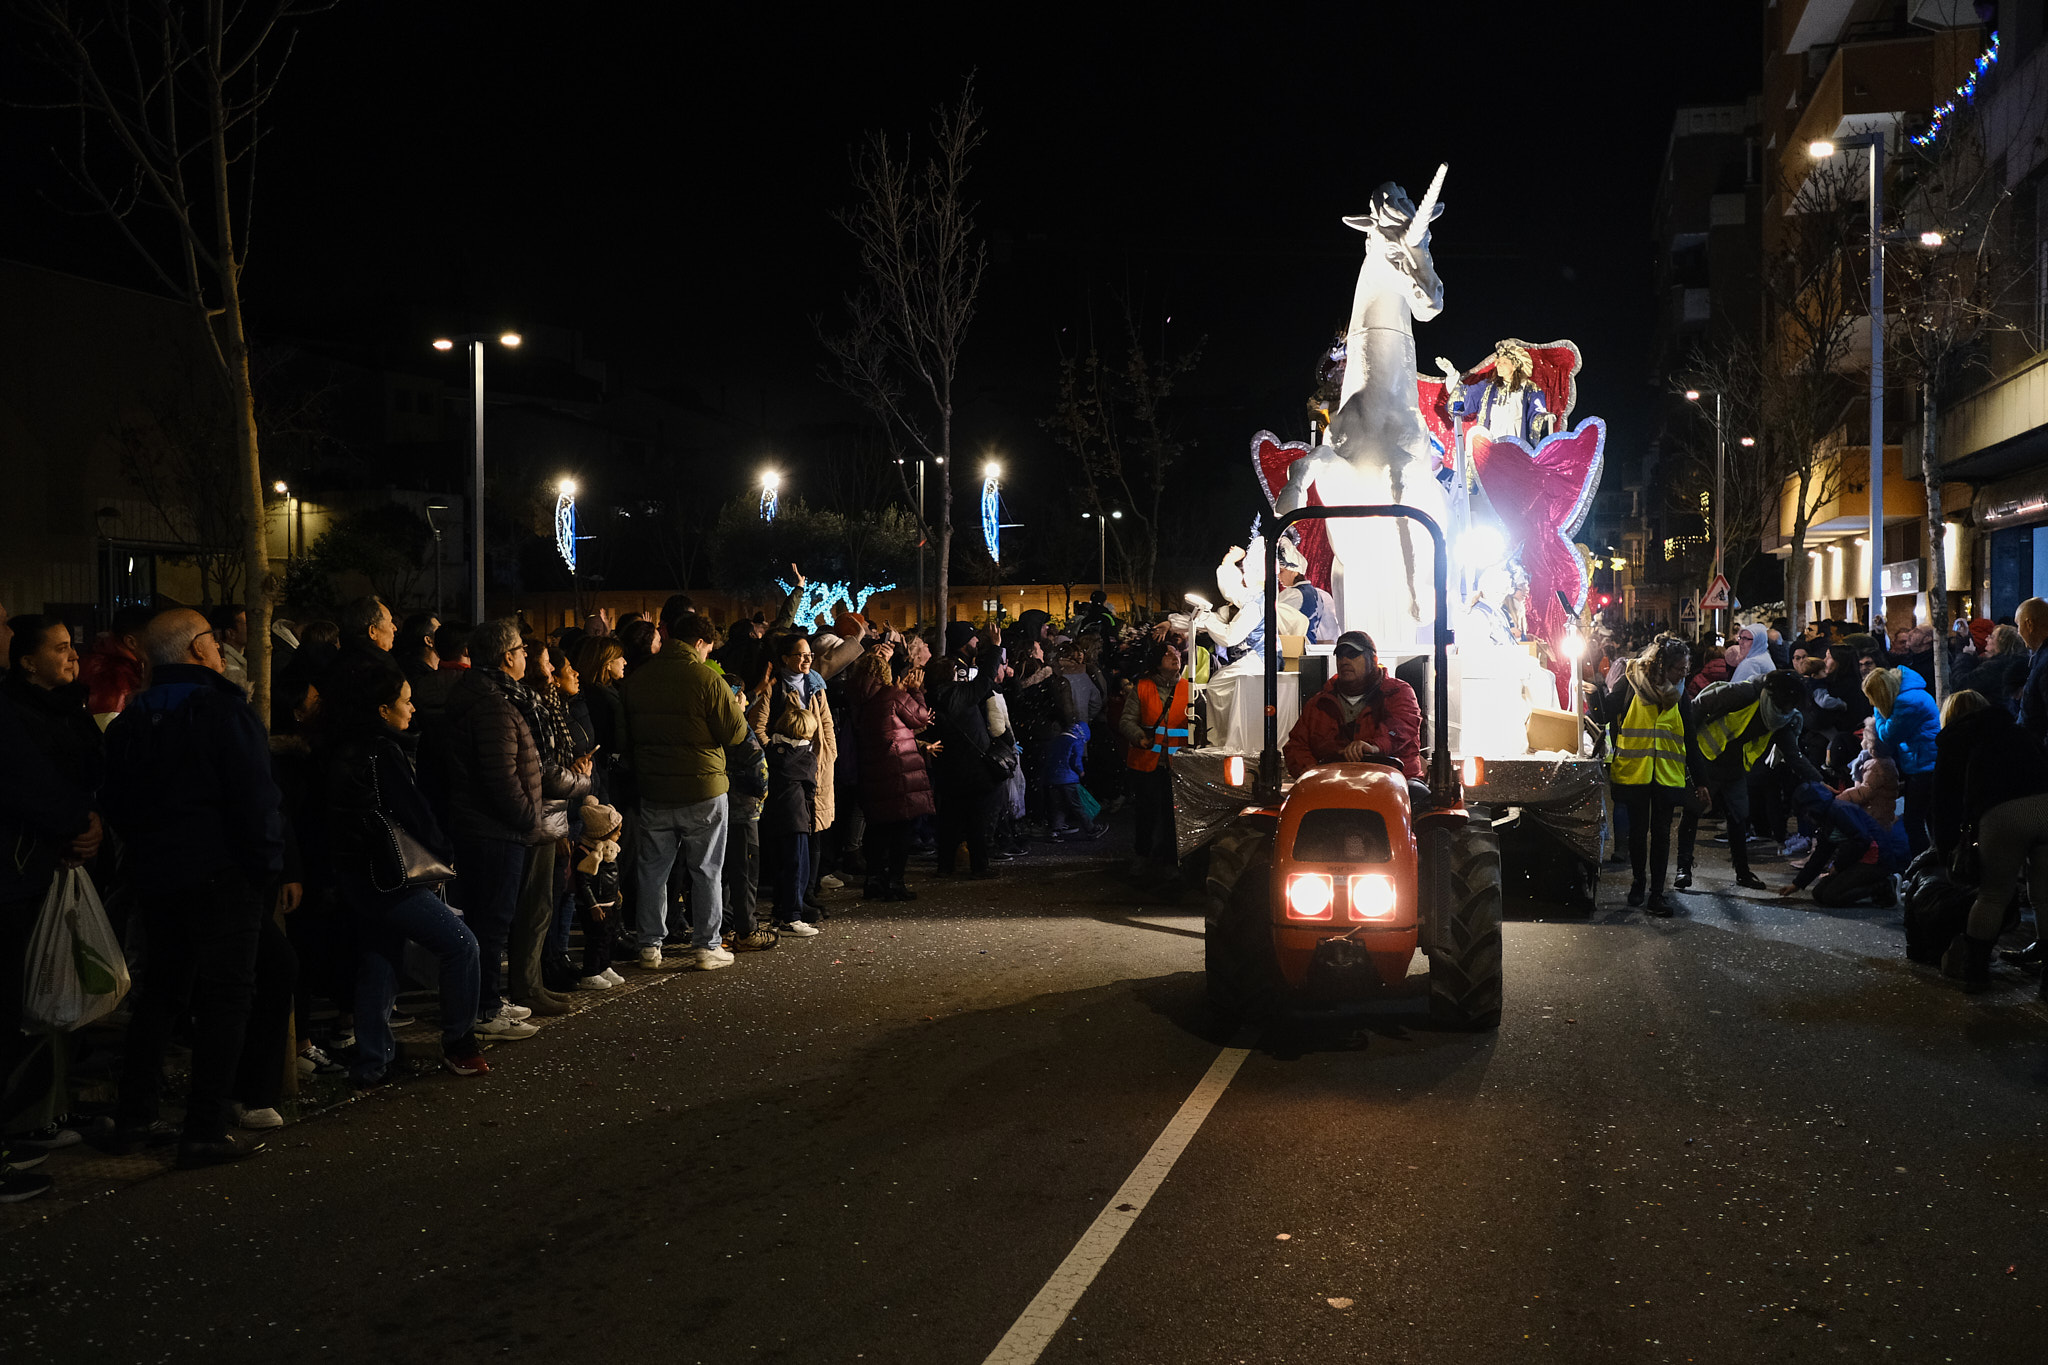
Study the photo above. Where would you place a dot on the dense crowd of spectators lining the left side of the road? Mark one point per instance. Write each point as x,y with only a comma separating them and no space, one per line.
511,818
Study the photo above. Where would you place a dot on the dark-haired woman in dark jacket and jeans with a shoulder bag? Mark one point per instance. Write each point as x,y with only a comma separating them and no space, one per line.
370,775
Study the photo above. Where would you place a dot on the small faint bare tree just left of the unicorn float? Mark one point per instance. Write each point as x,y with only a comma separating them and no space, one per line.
1113,421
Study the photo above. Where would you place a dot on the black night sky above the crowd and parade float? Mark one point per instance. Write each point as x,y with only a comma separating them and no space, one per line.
663,177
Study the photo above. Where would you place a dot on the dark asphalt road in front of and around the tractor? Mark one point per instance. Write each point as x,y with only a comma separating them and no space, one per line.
1750,1133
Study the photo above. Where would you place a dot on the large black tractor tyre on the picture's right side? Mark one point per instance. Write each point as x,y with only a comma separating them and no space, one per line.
1465,934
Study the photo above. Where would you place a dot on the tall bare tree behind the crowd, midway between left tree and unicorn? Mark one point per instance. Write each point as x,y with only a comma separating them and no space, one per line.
900,355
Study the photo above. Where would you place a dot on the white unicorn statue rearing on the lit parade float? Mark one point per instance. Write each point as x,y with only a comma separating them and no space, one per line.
1377,449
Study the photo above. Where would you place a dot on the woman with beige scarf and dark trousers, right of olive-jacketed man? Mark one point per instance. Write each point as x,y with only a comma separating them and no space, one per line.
794,725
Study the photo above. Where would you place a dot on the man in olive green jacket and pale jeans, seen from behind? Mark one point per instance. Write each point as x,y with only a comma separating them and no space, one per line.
679,721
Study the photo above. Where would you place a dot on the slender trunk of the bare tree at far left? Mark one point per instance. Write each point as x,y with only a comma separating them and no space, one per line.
249,457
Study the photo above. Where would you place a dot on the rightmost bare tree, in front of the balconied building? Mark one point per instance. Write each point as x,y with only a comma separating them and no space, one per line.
1949,281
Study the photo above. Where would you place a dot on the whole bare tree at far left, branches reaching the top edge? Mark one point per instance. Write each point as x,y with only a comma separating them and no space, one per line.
167,99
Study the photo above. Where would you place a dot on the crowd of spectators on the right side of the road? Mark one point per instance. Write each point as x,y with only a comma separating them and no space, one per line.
1832,746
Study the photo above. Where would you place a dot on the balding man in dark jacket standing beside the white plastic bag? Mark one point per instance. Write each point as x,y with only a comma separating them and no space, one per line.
189,793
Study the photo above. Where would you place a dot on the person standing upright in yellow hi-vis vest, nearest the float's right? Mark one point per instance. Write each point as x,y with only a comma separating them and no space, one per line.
1652,762
